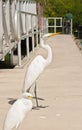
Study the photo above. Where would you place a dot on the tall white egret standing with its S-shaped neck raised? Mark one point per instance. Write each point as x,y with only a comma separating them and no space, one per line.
37,66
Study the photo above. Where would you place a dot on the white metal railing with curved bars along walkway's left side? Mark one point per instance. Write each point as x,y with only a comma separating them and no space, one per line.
19,28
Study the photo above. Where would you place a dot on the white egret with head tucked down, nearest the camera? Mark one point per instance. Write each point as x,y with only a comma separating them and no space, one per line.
18,111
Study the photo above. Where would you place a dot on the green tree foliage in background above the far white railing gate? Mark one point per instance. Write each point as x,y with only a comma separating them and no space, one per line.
55,8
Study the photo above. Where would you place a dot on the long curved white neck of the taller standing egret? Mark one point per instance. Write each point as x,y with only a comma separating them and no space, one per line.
49,51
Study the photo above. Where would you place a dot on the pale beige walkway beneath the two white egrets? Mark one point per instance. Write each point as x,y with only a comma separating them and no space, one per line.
60,85
